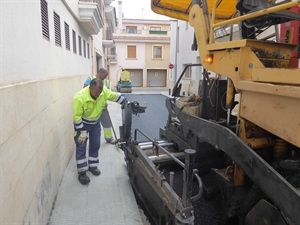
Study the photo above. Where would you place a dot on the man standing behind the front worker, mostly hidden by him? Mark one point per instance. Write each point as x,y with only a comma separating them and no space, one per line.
102,74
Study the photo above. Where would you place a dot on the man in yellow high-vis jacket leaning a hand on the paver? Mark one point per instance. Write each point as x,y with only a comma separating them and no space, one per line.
88,105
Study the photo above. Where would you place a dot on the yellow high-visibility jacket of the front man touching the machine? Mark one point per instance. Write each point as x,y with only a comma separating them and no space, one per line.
87,110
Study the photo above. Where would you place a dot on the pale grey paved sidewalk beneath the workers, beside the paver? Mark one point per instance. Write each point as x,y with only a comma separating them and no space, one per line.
107,199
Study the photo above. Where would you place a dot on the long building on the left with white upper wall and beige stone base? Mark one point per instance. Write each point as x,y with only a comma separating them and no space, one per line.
48,48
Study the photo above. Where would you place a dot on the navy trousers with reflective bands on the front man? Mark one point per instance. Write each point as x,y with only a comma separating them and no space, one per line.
82,163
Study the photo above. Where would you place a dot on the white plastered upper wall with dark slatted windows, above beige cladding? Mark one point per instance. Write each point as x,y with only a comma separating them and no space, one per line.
26,55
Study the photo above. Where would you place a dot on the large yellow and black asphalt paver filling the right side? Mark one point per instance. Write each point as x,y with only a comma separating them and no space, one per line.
220,167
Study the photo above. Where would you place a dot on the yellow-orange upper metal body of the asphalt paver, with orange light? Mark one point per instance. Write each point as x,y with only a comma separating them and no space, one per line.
259,70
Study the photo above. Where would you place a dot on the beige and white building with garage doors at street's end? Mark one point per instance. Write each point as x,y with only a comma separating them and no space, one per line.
143,49
